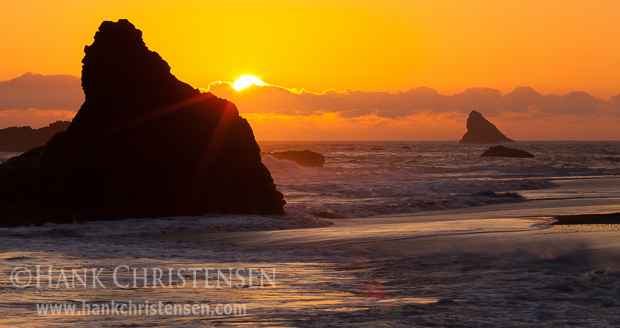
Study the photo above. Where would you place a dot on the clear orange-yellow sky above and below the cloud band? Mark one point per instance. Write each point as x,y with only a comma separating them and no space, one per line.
555,47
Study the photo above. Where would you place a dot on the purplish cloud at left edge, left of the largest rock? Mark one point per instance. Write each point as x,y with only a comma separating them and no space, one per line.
44,92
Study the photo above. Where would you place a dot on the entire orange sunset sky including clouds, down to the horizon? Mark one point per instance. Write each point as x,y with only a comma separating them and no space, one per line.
344,70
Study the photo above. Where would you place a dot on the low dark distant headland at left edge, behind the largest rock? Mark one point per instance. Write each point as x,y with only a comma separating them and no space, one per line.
20,139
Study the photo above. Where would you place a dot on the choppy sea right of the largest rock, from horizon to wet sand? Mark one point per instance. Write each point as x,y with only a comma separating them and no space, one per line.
362,179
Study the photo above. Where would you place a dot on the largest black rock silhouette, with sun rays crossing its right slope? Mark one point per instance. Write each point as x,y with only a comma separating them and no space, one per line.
143,144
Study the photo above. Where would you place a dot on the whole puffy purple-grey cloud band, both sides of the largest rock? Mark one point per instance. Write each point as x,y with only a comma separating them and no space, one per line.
63,92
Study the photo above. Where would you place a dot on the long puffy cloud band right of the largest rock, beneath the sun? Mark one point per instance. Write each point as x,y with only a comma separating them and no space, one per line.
355,103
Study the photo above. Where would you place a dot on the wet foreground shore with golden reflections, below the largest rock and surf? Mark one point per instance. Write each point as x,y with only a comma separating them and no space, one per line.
486,266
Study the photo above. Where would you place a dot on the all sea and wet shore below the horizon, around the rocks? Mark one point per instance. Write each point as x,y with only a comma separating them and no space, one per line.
393,234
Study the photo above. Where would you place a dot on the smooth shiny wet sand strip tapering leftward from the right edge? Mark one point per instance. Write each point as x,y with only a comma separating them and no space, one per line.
489,228
